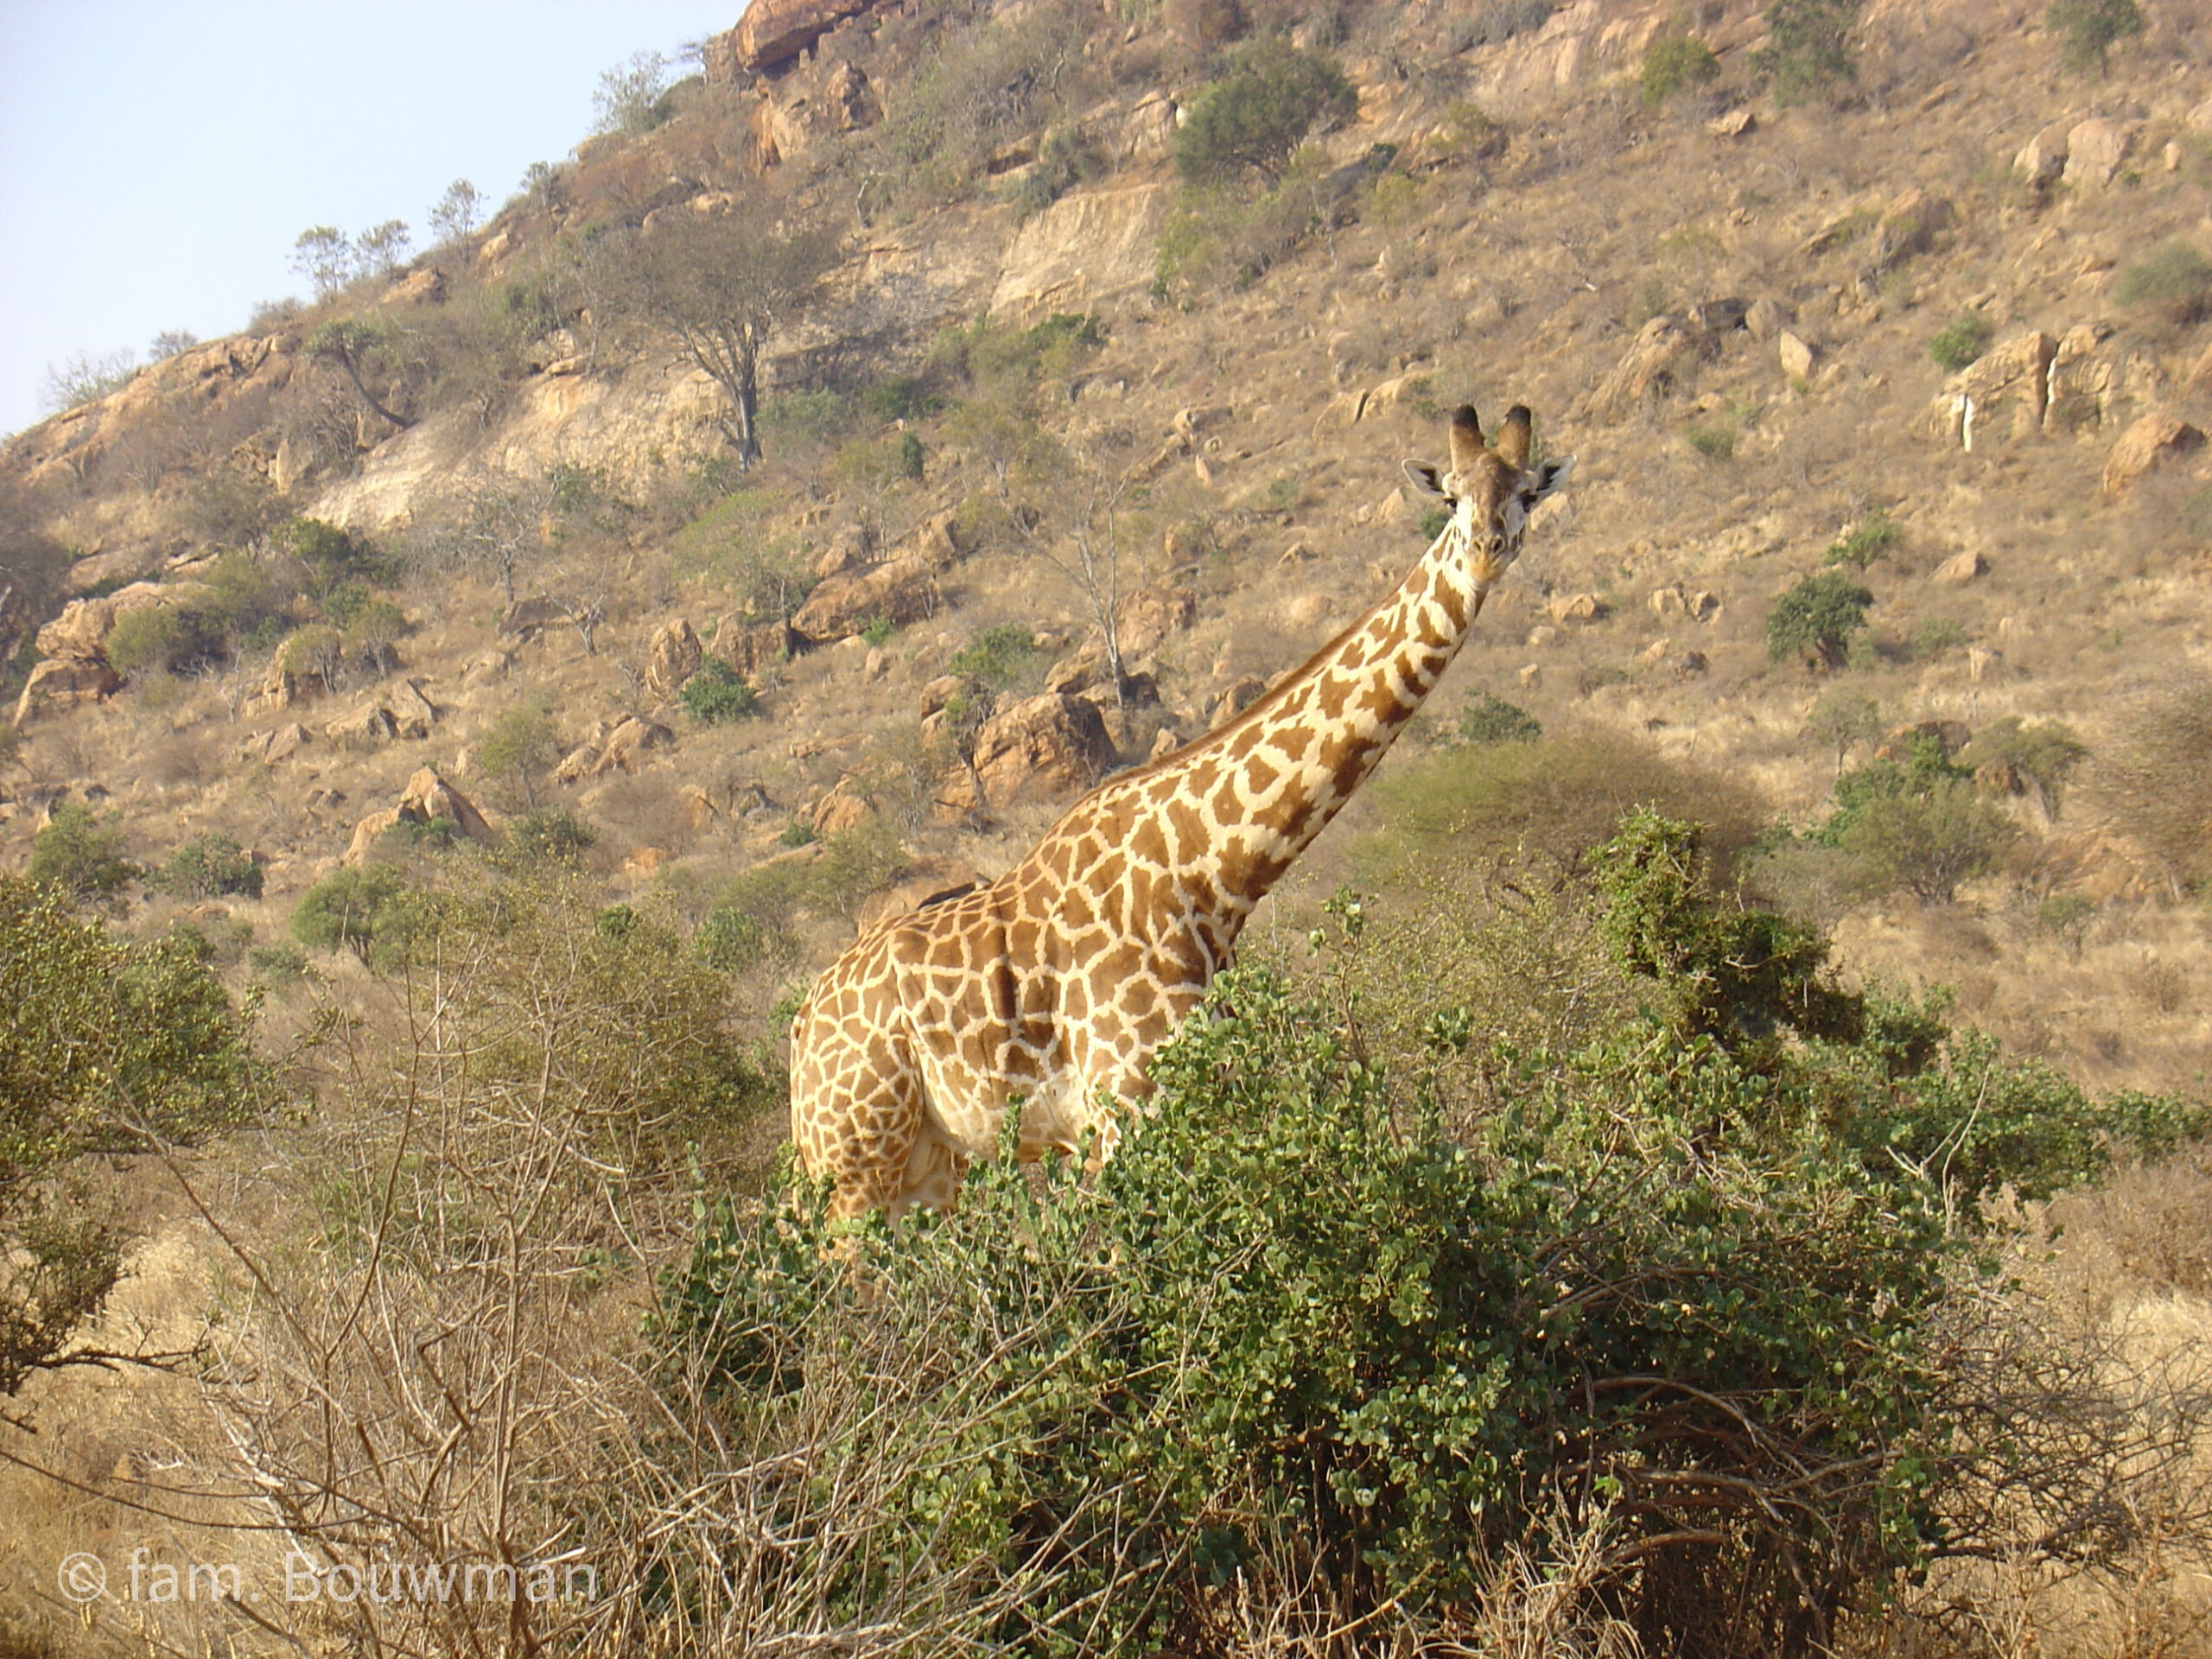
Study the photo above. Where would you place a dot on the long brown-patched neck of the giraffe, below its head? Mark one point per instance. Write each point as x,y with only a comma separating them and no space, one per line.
1273,780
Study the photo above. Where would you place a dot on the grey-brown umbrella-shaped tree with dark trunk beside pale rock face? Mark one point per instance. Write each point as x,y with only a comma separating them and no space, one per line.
720,286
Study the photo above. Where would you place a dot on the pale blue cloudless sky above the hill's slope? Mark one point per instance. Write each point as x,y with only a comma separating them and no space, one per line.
158,158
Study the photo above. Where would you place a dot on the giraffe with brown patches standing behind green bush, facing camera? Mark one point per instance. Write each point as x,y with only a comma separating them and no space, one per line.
1056,983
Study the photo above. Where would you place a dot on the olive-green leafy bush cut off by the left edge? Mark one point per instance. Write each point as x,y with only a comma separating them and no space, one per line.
107,1045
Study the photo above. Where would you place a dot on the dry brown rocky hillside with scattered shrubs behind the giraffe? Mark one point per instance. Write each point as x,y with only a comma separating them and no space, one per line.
1074,437
